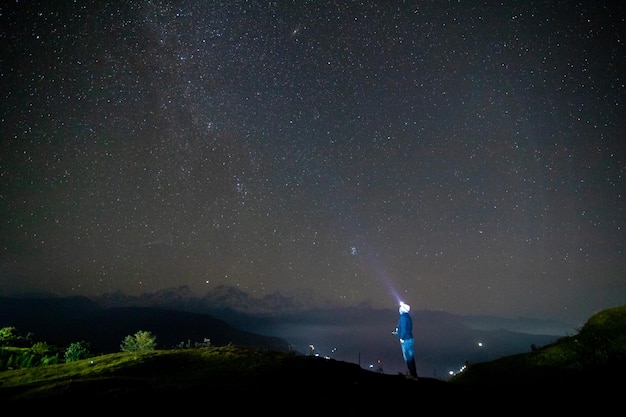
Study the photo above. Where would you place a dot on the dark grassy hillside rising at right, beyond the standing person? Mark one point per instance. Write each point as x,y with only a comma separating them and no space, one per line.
589,362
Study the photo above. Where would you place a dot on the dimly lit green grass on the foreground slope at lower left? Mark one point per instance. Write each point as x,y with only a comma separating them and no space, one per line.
134,370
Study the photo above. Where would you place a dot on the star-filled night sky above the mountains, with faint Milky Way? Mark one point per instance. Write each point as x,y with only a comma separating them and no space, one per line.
464,156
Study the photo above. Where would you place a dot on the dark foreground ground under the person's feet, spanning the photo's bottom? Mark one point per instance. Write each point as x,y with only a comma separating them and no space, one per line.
233,381
